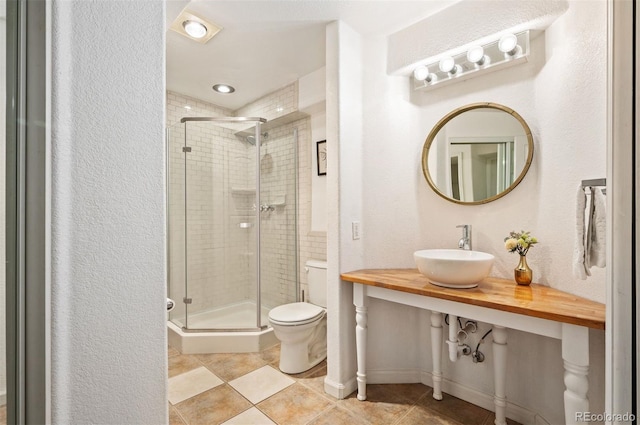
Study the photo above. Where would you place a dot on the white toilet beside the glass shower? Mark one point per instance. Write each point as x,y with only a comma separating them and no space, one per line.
302,327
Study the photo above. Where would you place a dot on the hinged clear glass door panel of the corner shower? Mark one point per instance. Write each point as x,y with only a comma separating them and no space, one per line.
221,228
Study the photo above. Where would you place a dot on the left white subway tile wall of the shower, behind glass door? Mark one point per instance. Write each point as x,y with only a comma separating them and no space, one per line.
215,167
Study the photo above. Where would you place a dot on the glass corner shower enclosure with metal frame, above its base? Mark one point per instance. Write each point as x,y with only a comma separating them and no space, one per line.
232,222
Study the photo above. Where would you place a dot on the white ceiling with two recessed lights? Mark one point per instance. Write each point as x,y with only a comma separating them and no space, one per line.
267,44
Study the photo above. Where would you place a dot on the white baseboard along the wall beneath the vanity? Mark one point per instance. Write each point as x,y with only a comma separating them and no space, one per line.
456,389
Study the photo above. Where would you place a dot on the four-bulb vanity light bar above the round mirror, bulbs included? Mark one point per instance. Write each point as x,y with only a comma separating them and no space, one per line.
469,61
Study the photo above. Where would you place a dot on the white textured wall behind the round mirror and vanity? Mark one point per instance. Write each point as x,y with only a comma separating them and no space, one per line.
565,106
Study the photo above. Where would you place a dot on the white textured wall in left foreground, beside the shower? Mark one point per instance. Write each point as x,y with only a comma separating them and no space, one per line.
108,330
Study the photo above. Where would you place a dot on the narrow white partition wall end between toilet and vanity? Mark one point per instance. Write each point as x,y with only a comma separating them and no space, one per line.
344,182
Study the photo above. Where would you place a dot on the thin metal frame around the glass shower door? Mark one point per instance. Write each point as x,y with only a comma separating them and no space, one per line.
258,135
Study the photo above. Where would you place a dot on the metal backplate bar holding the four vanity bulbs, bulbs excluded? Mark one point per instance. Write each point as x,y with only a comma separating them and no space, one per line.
493,60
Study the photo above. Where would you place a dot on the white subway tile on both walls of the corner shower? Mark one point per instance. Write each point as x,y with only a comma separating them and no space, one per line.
216,276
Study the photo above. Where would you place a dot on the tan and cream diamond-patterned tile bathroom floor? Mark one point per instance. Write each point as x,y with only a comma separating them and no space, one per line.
246,389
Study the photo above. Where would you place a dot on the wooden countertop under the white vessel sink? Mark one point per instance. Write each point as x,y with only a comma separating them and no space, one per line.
500,294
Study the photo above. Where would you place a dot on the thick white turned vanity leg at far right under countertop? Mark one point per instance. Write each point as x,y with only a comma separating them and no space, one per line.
575,353
